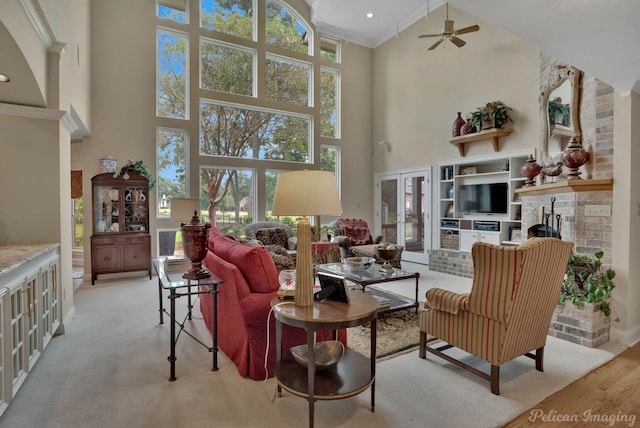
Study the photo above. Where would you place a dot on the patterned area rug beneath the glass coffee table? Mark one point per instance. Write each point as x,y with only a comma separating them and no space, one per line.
396,332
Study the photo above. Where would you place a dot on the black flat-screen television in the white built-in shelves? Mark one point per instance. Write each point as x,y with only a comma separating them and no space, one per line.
488,198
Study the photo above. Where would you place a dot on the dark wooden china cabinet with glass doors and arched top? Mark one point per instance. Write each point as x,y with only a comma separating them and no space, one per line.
121,241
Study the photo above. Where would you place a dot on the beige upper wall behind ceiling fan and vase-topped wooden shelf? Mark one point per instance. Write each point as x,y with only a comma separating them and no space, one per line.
417,93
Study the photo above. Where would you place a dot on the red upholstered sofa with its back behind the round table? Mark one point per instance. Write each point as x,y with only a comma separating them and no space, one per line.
250,283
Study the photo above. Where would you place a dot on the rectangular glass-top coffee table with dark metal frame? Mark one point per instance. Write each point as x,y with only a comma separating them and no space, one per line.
373,275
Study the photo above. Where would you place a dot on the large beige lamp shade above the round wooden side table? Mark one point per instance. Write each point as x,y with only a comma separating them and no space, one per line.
306,193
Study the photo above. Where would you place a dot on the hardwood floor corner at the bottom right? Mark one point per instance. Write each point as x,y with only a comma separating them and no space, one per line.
609,396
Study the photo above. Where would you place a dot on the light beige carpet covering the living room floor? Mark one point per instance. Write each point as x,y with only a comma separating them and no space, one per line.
110,369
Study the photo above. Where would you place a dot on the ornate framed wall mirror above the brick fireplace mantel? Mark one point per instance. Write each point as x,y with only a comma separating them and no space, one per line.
560,110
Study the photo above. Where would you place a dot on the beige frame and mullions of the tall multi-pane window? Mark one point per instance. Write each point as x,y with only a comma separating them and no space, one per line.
322,53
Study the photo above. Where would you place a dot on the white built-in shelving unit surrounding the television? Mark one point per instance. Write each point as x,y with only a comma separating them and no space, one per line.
457,229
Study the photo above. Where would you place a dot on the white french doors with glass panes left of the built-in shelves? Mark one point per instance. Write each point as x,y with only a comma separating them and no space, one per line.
403,207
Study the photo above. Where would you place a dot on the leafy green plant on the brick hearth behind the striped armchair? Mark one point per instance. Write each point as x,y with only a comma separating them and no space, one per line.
587,281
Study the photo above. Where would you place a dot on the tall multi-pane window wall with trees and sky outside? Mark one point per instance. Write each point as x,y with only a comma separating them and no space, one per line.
258,112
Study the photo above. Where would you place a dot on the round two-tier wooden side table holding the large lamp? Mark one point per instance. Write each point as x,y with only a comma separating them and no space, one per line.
352,375
